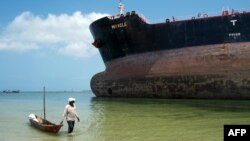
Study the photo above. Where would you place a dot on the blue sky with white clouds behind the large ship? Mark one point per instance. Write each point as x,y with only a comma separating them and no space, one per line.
48,42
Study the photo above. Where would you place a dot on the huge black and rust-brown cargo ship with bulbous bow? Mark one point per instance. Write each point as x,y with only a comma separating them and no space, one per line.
205,57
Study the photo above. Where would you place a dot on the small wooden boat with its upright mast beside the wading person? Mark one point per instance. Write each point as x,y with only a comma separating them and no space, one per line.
42,123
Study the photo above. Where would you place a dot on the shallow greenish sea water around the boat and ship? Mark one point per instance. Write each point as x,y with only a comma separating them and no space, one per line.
120,119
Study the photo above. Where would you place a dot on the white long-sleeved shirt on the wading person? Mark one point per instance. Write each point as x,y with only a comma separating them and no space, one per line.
70,113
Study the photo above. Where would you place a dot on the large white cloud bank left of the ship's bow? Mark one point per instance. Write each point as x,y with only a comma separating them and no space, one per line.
66,34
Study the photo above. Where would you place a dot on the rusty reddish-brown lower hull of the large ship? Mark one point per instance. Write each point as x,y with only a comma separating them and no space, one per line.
212,71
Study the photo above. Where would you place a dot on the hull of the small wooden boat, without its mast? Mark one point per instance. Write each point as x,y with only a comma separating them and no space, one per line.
45,125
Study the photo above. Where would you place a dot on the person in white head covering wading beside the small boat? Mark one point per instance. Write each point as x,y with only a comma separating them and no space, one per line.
70,114
